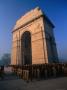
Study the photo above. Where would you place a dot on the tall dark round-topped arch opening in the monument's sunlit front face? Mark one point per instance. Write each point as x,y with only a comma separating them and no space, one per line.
26,48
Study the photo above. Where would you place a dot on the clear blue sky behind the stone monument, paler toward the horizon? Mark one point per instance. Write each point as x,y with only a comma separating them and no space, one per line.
11,10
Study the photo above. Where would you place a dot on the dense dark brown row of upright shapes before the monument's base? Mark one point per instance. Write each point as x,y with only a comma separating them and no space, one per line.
40,71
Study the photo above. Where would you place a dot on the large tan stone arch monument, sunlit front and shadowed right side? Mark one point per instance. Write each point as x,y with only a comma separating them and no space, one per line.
33,40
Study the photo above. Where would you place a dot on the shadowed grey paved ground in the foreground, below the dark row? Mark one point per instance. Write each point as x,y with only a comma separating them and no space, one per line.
12,82
